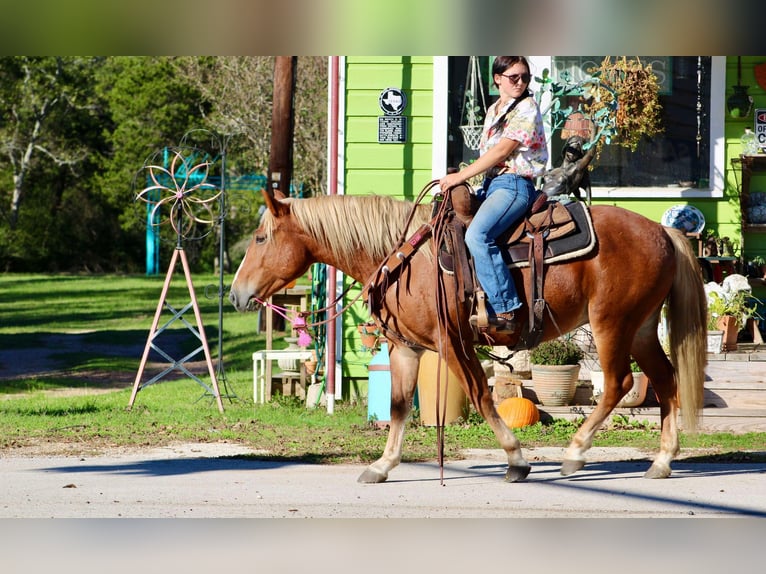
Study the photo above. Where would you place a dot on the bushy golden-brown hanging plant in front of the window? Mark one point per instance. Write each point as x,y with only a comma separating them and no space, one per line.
629,90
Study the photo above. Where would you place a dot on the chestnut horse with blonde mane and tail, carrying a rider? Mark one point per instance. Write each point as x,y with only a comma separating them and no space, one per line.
620,289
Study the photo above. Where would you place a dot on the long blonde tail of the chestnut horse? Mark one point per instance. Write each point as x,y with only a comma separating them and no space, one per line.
687,318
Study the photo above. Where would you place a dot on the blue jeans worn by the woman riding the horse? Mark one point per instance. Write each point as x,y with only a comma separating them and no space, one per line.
505,199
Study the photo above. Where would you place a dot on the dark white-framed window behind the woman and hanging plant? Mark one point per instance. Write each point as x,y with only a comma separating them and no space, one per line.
687,159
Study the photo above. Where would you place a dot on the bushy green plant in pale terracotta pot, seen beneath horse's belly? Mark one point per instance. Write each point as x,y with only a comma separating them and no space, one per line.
555,366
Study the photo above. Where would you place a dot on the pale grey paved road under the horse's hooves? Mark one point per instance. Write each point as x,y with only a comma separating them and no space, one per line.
212,481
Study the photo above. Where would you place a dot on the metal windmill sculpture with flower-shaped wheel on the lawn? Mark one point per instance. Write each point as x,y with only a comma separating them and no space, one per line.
182,197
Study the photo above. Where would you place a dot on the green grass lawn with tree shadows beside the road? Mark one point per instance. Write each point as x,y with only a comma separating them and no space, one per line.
75,343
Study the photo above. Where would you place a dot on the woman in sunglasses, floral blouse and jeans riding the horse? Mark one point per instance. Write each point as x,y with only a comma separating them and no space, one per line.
513,152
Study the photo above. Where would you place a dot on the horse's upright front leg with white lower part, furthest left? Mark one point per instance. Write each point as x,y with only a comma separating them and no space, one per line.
404,377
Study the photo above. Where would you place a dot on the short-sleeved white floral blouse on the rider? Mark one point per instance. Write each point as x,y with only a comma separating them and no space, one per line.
525,125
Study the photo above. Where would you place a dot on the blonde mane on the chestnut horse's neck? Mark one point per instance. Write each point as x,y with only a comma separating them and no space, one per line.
350,223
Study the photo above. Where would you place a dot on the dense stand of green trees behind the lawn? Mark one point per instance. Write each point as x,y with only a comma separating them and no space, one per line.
75,132
